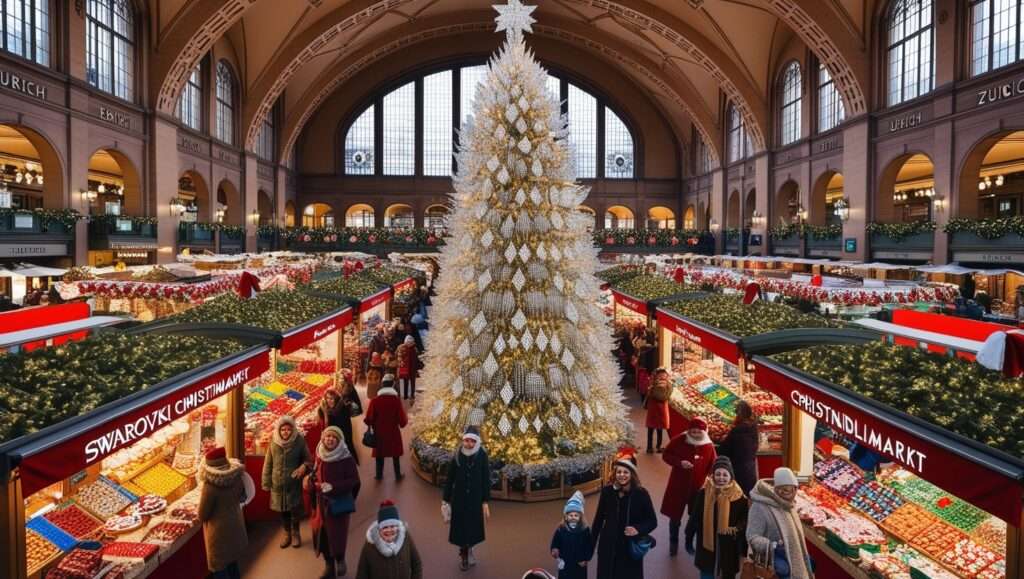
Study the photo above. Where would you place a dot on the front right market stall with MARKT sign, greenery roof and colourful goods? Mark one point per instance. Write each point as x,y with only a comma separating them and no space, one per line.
907,472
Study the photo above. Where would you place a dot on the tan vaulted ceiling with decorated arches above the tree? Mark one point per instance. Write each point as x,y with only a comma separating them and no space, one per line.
690,56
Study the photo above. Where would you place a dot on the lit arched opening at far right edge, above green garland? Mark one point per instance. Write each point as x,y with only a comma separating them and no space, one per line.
998,155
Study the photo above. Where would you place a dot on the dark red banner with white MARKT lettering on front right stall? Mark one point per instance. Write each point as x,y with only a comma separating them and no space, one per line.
985,488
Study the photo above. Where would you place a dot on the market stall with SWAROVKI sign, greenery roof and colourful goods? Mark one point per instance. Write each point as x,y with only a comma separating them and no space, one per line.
106,485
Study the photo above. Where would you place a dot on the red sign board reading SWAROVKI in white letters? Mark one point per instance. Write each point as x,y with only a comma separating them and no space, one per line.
71,457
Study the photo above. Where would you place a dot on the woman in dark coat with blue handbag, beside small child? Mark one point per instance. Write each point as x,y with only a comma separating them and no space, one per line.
625,513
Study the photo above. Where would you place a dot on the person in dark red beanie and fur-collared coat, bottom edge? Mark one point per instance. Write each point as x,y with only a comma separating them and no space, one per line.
390,551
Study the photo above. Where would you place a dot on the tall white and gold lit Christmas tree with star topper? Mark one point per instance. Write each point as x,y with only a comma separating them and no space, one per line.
518,344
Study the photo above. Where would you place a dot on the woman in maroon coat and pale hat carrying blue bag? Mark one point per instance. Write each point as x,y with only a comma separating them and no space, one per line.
335,479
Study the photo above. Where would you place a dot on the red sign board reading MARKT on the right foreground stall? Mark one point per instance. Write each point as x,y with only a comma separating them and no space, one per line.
970,474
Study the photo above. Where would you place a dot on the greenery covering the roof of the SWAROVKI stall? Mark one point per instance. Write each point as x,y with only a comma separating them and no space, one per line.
46,387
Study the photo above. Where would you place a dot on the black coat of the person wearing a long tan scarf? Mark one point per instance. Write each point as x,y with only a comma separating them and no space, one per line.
724,561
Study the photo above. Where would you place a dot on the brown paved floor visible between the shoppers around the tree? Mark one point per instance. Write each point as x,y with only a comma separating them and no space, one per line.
518,534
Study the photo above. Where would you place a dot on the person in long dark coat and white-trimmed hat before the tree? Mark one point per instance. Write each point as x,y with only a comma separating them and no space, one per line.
467,492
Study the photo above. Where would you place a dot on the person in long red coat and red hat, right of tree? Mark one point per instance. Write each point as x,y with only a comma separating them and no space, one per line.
692,457
